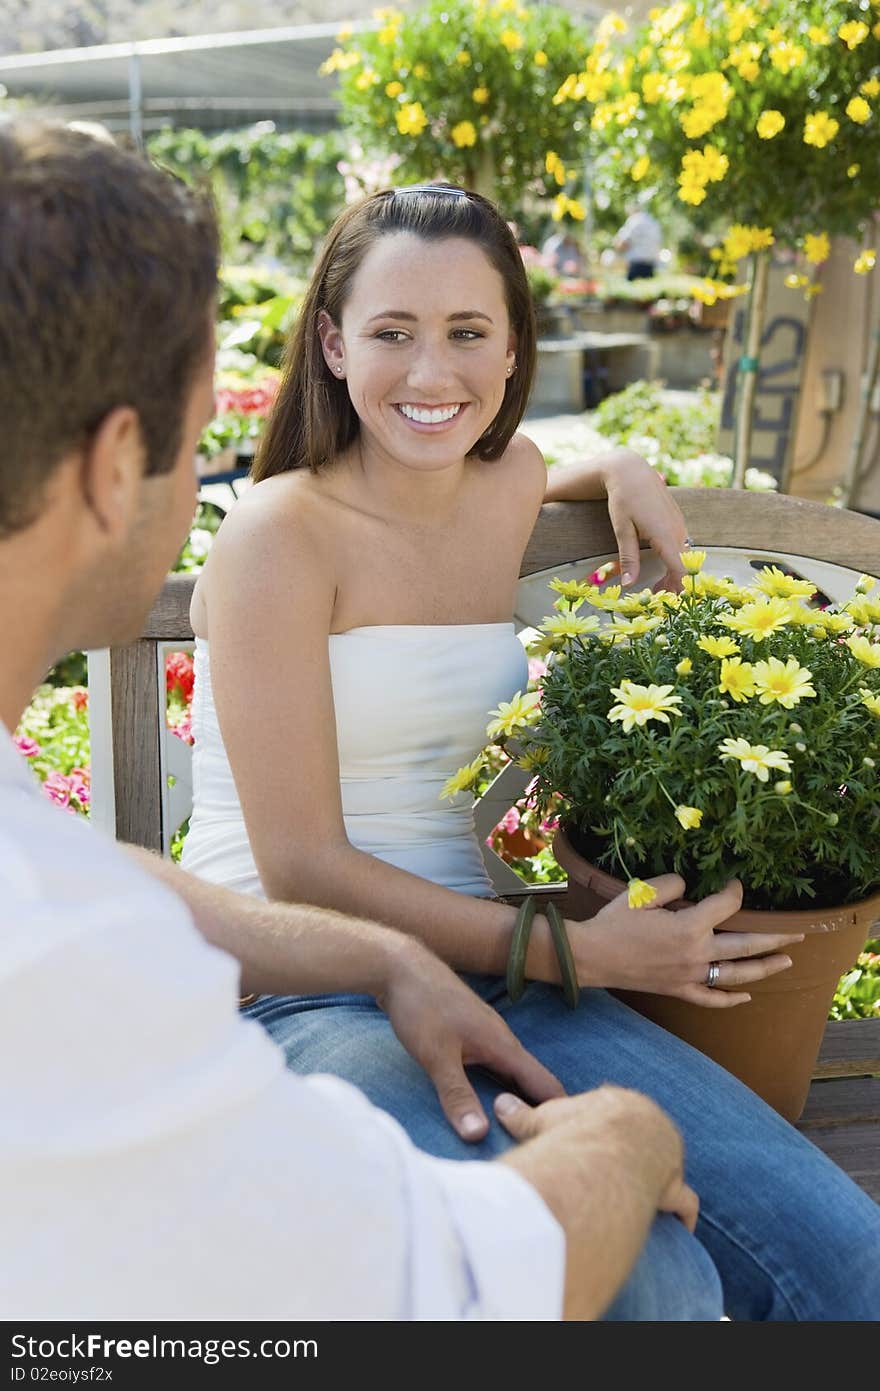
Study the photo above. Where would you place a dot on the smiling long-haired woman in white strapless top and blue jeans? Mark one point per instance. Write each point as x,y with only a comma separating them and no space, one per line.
358,609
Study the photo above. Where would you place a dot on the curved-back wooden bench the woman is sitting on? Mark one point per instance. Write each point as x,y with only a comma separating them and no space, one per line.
134,753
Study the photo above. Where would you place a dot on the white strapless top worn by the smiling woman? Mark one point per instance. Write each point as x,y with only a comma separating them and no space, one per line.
412,706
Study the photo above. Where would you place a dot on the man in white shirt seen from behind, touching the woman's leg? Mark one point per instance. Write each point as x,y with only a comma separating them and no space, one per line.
158,1161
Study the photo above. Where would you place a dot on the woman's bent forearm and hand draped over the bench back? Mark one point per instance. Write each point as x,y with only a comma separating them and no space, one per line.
640,507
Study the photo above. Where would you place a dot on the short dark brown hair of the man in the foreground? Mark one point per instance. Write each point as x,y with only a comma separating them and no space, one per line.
108,276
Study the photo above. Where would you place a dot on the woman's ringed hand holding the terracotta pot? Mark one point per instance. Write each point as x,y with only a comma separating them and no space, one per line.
671,952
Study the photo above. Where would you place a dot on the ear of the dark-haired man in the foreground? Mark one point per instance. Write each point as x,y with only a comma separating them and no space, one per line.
112,472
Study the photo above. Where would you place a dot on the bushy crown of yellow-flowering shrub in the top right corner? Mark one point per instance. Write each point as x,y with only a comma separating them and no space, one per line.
697,77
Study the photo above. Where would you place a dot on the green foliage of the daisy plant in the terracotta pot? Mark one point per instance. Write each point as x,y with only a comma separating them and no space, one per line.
808,831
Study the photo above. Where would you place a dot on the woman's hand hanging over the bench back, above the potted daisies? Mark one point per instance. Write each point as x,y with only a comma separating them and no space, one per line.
643,510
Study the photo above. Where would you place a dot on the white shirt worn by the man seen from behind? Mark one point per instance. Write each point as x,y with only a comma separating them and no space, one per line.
159,1162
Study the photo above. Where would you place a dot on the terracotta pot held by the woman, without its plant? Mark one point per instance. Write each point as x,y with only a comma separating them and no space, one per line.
772,1043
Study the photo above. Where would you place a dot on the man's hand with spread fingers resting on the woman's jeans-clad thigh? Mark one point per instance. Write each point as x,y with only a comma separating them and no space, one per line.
446,1027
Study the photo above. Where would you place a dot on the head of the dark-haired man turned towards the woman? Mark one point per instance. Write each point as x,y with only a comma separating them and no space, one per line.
108,282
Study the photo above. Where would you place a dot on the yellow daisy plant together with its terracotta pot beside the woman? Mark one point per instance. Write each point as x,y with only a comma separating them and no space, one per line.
724,732
